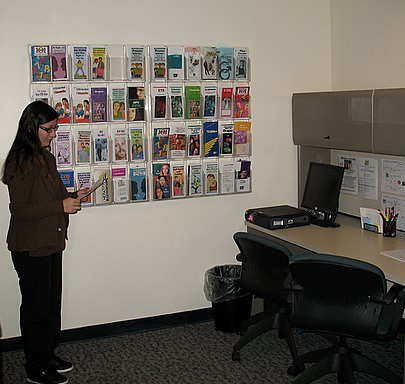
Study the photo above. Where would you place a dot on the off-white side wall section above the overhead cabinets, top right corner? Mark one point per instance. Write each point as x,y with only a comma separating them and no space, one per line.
368,48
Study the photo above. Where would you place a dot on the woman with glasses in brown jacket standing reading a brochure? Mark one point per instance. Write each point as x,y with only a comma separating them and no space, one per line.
39,206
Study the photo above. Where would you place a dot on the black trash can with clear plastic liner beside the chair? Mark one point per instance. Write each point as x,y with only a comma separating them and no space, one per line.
231,304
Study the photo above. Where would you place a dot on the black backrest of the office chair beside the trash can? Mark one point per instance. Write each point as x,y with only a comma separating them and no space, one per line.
264,267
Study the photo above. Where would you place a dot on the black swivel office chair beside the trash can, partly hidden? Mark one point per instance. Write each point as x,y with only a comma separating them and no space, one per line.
264,271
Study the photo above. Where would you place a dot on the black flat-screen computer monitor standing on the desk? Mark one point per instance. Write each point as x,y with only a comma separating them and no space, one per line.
321,194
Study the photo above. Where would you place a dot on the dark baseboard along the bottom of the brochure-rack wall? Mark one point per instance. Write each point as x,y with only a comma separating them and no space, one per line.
121,327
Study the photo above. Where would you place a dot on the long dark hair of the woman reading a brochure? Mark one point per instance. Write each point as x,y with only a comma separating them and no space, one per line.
26,149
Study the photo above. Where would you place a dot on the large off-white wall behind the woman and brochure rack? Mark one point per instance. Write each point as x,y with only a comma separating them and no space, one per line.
139,260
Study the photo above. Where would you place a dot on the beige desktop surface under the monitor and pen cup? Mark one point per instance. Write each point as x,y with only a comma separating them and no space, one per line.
348,240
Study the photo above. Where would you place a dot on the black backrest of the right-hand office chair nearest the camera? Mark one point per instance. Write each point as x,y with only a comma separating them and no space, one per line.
336,297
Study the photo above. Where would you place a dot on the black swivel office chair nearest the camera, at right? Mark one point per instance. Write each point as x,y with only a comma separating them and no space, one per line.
346,298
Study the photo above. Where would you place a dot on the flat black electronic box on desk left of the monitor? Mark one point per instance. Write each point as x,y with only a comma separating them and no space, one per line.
280,216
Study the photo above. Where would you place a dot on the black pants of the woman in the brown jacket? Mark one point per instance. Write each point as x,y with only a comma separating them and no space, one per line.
40,280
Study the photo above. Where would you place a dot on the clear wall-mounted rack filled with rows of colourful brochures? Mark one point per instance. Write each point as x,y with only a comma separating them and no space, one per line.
157,122
